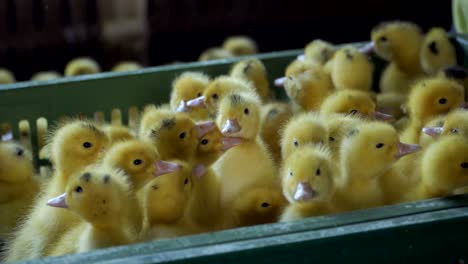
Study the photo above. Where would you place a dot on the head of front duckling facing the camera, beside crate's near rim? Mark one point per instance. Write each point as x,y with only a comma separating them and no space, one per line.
308,174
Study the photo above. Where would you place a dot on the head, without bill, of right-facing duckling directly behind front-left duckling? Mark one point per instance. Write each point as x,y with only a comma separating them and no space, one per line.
135,157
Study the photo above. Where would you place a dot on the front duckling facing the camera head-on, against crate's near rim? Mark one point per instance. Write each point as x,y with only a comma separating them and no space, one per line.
308,182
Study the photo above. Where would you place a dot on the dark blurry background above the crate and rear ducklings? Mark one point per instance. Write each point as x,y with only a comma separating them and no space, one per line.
40,35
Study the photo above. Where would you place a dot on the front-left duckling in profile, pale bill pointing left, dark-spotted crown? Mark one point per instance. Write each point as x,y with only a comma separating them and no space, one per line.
103,200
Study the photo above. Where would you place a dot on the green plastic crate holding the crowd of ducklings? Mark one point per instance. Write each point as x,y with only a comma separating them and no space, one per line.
430,231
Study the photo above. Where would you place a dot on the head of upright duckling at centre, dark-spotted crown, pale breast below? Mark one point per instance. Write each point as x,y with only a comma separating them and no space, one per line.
239,115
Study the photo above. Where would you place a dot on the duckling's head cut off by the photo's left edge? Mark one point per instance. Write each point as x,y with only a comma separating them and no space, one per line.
15,163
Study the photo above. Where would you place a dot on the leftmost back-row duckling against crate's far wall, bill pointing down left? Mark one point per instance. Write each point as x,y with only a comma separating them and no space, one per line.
188,86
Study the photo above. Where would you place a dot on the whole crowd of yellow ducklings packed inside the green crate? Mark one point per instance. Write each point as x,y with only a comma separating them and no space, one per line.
223,153
